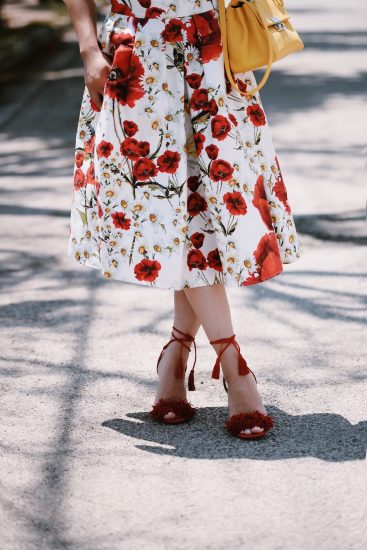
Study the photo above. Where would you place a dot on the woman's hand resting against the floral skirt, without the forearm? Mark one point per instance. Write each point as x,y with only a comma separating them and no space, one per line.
96,68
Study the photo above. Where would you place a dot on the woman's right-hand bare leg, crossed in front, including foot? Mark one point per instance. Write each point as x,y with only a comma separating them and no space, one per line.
211,306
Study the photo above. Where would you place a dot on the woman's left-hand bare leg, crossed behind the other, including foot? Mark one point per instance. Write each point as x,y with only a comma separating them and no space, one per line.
186,320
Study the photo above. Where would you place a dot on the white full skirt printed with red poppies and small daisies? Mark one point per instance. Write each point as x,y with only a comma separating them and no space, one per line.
176,180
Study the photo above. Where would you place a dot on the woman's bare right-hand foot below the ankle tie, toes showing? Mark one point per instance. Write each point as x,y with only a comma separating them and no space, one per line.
243,396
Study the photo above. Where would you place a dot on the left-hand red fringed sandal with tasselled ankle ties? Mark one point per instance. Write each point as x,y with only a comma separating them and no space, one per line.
182,408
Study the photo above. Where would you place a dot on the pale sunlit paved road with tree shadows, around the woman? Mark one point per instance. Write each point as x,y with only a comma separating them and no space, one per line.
81,465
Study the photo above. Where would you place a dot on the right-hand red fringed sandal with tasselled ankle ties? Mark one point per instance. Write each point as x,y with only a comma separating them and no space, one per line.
237,423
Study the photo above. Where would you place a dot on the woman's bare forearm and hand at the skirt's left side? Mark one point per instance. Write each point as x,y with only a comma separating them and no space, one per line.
96,64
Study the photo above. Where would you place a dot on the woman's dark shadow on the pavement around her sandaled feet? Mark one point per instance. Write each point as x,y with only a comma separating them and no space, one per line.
325,436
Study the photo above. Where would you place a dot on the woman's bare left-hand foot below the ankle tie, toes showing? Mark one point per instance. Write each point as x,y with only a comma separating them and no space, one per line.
170,387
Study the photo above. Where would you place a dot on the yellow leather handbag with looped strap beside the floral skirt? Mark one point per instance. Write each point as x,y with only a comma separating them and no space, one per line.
255,33
